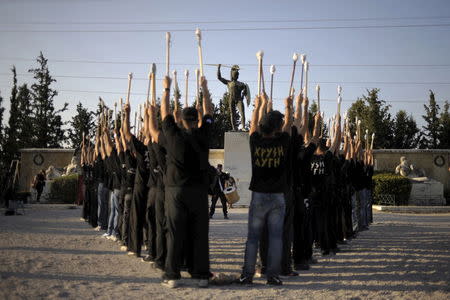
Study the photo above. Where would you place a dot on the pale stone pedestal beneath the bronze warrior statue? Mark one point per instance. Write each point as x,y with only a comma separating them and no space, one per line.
237,161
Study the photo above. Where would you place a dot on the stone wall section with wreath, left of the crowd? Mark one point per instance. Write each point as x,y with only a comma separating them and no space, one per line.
59,158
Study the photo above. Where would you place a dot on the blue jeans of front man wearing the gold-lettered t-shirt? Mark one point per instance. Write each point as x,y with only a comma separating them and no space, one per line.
265,208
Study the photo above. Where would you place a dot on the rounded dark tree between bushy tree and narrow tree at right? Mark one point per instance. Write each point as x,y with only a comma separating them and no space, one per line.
406,132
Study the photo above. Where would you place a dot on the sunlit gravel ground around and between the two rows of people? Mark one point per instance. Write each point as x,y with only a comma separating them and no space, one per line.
50,253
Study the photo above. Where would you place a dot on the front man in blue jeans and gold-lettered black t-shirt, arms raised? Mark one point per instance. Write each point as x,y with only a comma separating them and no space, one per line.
269,149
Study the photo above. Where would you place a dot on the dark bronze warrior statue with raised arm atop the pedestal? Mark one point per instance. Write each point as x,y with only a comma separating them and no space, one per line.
236,91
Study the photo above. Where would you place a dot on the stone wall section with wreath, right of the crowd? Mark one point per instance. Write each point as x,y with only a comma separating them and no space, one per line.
388,159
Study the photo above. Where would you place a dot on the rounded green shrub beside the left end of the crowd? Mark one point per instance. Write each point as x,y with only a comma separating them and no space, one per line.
64,189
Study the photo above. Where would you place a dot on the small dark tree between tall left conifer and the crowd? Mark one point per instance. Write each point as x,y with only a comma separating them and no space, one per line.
82,122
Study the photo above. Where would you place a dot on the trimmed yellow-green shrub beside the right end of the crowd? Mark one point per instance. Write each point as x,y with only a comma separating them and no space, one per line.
391,184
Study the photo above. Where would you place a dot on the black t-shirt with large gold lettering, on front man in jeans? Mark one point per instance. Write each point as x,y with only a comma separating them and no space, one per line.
269,163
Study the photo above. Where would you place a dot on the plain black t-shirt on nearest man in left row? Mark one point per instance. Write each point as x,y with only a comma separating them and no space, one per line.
187,153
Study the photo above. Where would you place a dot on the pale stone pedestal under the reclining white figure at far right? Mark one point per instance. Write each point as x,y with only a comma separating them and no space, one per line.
426,191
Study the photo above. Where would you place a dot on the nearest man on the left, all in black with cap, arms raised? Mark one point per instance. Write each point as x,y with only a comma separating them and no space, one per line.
186,186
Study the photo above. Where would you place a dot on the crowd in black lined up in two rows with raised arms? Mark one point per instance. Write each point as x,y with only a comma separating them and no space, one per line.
149,190
